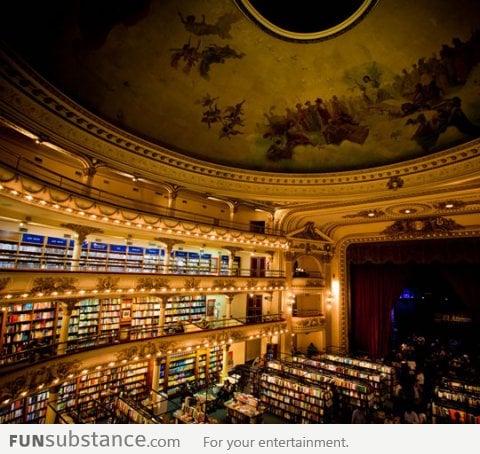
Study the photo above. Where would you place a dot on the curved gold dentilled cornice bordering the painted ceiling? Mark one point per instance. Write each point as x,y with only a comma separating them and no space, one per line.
24,95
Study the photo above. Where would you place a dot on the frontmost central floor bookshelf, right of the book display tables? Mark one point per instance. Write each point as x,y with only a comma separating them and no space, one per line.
297,402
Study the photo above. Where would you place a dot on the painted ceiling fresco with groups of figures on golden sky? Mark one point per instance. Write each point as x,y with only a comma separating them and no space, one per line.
203,79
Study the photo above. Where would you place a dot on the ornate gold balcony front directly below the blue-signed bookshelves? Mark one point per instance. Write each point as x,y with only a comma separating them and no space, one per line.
42,285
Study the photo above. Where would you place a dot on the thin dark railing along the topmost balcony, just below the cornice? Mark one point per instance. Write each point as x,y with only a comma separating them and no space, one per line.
47,177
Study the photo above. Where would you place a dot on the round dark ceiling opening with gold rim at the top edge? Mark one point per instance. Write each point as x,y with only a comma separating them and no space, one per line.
304,20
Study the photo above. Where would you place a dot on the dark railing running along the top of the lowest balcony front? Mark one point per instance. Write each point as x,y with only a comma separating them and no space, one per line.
39,353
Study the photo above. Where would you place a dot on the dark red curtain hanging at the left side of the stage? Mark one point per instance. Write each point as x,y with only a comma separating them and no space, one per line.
375,289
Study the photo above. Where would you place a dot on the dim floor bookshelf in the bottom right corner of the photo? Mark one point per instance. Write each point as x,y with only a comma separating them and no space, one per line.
456,399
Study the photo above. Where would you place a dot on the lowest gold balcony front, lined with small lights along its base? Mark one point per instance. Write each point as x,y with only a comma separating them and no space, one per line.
47,371
